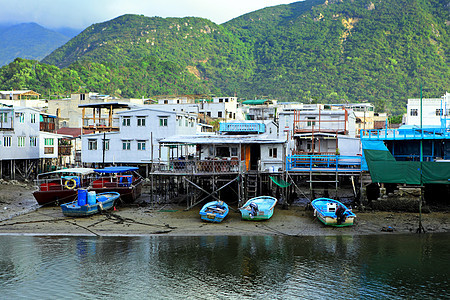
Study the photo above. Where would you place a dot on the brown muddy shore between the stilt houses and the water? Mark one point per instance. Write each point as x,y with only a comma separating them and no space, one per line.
21,215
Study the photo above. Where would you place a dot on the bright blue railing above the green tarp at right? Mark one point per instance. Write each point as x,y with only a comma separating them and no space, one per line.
405,134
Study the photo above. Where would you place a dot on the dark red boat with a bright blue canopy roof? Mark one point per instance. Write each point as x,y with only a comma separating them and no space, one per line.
124,180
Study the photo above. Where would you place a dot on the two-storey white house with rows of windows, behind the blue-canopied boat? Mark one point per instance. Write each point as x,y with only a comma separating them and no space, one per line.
136,142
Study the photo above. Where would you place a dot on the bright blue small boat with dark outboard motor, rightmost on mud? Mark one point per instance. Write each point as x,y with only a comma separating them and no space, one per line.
332,212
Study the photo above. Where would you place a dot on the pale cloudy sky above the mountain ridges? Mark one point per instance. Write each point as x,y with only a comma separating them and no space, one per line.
80,14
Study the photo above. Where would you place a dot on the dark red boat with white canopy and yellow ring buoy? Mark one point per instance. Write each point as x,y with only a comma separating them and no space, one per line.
61,186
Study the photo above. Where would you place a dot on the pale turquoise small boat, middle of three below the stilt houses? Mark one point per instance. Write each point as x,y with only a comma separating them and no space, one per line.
258,208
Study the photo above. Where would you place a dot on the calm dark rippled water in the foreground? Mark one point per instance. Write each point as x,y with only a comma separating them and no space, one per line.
341,267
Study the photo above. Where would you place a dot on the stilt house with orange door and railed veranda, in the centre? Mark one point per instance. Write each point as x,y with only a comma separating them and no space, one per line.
244,146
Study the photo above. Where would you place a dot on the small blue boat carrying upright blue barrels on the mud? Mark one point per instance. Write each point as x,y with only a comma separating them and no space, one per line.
78,208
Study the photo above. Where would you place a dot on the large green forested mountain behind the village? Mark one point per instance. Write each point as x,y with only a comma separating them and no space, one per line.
327,51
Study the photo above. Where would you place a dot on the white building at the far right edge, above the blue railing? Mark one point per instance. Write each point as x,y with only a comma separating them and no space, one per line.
434,110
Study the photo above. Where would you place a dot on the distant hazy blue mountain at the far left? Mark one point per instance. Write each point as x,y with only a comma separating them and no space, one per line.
28,40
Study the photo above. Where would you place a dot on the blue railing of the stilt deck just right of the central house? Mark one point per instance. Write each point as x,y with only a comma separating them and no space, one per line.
334,163
